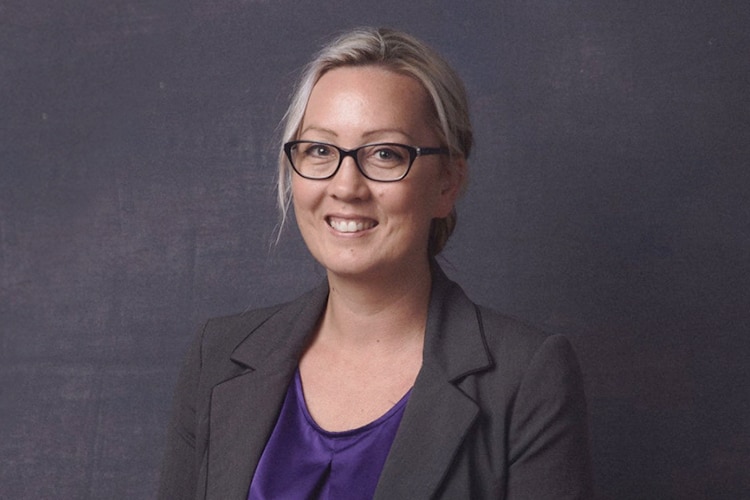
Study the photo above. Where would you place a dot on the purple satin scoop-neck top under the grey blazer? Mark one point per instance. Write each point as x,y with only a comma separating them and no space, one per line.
301,460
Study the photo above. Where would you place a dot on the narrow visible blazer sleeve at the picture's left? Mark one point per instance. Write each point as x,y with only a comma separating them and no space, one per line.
179,467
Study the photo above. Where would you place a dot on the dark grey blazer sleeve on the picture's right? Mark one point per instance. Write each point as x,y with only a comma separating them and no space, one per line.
548,439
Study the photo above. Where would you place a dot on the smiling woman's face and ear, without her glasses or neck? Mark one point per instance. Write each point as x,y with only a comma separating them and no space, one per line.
350,107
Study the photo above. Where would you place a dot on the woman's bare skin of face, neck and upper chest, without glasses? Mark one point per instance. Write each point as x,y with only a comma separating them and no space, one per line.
367,350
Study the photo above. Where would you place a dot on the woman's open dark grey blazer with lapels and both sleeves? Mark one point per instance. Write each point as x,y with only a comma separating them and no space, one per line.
497,410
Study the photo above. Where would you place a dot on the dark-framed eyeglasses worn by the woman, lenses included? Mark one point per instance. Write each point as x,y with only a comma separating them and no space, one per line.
383,162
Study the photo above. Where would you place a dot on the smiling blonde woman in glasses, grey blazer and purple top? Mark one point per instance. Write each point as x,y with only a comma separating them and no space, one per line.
386,381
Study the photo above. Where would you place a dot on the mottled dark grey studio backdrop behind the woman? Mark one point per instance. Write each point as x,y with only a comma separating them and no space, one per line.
608,201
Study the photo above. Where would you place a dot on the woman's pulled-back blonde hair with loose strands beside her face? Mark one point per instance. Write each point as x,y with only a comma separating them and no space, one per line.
402,54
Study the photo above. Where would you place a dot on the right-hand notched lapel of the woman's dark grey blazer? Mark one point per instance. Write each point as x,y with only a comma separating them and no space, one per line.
438,415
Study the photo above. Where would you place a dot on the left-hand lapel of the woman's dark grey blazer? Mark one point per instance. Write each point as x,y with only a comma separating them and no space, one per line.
269,356
